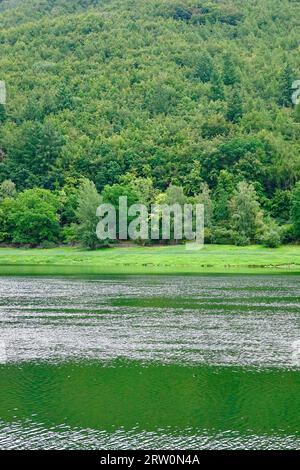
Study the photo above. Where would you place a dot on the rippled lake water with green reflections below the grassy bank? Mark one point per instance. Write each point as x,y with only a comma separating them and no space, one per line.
126,362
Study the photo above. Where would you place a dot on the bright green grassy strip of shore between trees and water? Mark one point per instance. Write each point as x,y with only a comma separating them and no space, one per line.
154,260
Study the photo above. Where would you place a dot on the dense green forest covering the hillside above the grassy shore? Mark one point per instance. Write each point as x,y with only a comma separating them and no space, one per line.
159,100
